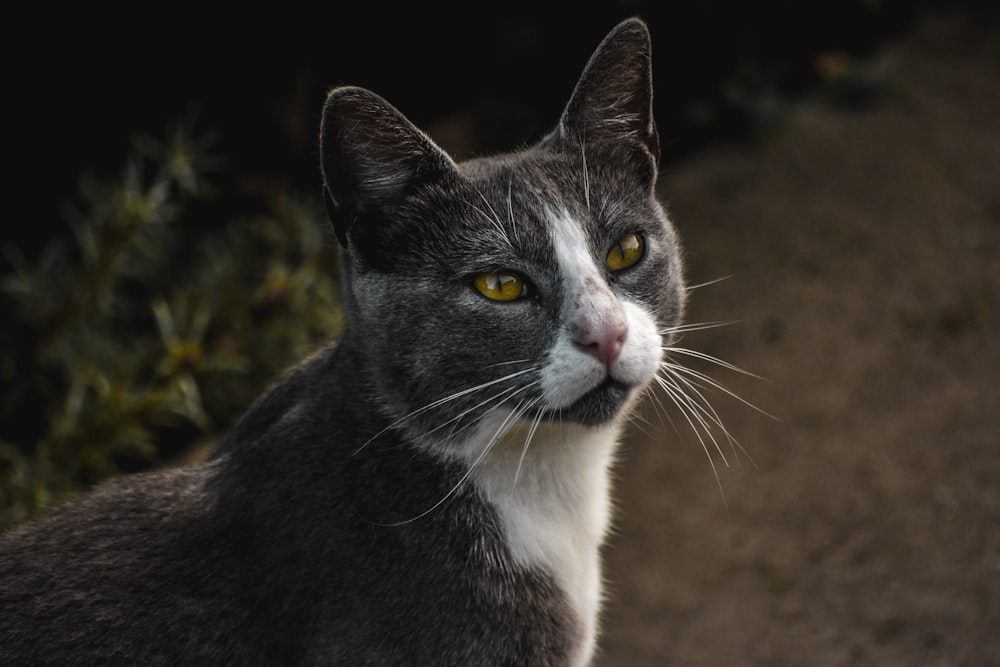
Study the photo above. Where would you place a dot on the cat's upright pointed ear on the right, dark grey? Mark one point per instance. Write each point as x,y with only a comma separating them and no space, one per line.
612,103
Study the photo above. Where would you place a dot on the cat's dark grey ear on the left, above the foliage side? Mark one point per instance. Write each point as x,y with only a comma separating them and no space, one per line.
371,156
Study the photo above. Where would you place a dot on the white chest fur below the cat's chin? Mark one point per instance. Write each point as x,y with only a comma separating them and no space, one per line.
554,506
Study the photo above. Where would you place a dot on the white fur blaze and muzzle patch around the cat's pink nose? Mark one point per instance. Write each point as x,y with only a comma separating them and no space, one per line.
588,303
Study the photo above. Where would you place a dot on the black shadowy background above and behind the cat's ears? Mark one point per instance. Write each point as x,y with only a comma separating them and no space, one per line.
83,83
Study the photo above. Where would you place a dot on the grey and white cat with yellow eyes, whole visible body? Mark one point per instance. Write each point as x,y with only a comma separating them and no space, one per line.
434,488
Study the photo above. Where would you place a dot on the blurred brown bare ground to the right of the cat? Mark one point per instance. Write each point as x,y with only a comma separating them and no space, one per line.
864,250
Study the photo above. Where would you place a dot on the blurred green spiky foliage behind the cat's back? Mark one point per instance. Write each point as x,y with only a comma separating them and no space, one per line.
148,333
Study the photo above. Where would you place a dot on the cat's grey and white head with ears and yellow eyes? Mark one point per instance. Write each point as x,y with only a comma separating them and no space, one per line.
543,282
